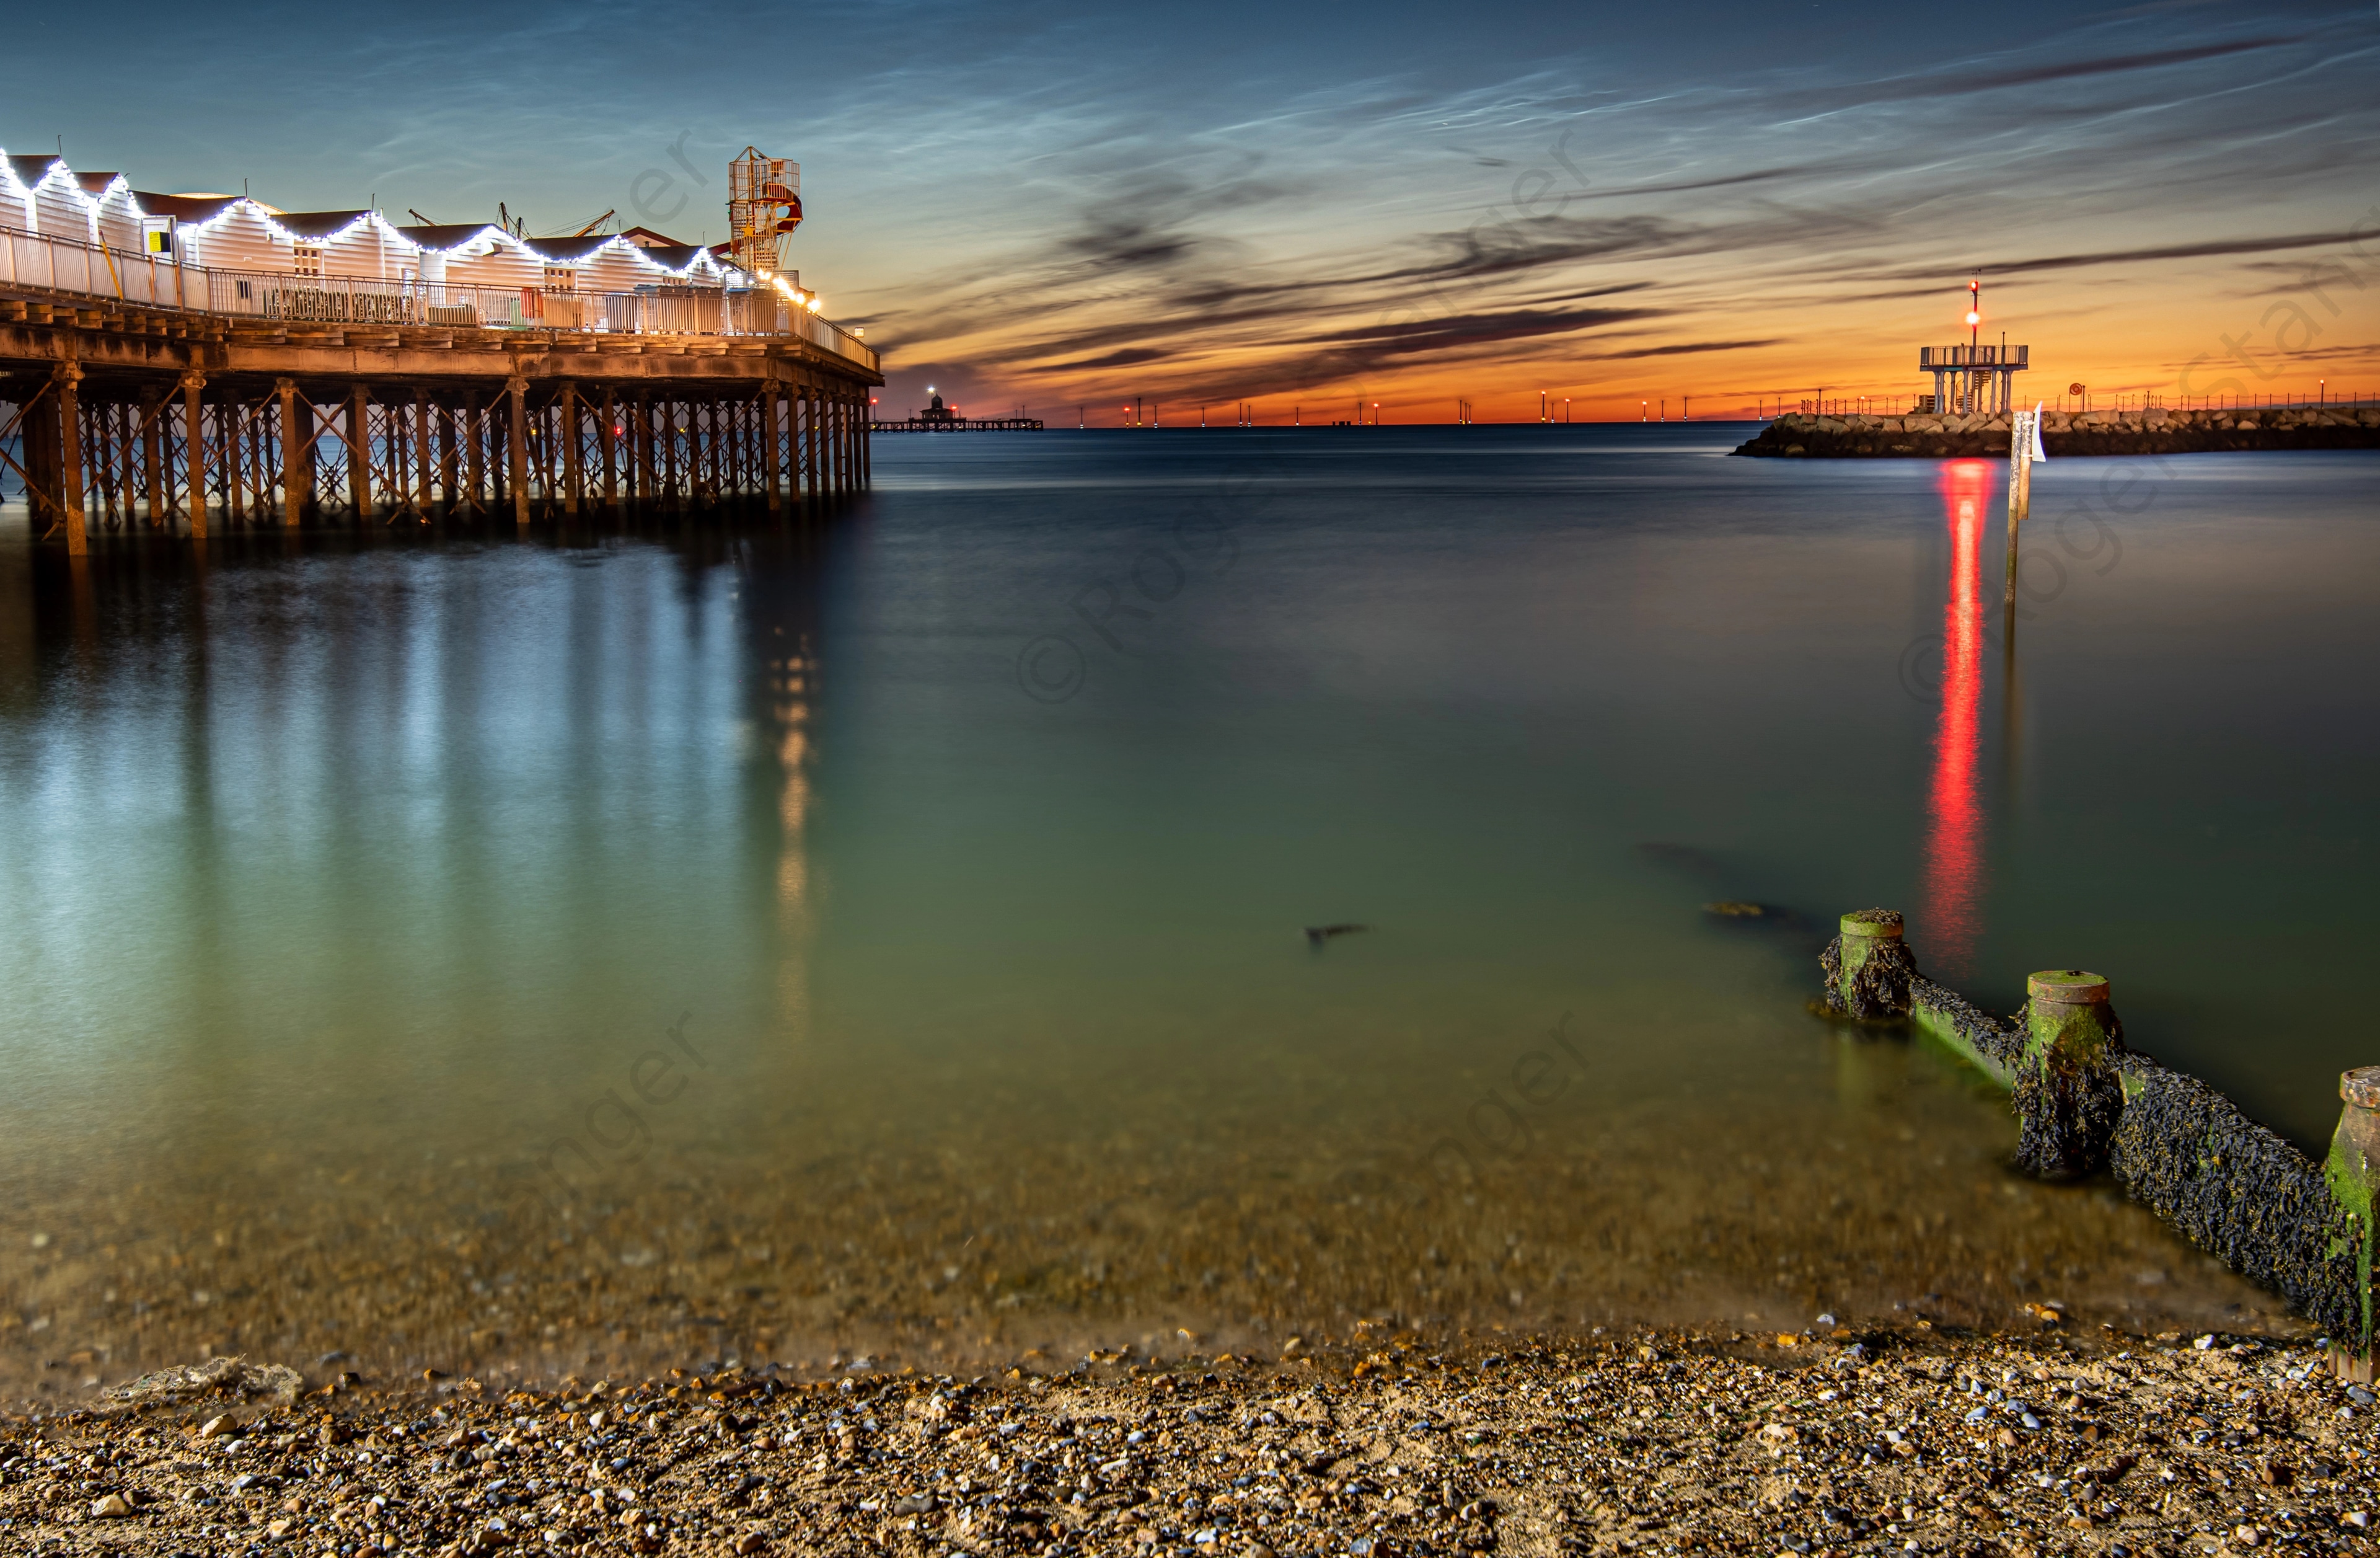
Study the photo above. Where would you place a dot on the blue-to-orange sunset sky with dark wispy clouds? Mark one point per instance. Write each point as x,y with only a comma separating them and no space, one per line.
1310,211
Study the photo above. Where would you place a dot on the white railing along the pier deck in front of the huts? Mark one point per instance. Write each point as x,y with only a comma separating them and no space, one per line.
61,266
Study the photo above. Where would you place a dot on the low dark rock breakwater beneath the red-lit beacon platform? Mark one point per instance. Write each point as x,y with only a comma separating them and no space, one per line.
2155,432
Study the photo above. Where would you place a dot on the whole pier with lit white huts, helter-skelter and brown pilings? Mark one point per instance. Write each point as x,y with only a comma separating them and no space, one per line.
180,363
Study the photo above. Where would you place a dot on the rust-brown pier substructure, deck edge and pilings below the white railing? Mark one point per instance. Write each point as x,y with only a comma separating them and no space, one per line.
173,420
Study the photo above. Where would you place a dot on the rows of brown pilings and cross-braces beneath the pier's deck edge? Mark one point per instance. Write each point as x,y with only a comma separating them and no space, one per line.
149,449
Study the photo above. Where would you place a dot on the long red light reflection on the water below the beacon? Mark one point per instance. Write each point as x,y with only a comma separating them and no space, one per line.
1953,806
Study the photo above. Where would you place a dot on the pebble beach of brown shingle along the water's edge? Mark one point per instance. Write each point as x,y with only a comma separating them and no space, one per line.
1822,1440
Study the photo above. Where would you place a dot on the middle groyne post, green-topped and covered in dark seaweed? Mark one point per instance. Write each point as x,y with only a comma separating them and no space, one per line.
2069,1095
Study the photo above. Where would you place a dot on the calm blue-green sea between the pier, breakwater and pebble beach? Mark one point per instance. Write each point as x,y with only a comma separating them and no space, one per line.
361,887
